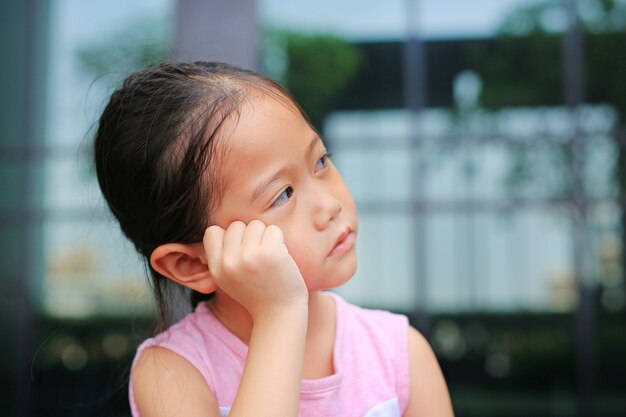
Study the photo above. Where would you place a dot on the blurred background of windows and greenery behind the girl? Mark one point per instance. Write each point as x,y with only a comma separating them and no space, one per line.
483,142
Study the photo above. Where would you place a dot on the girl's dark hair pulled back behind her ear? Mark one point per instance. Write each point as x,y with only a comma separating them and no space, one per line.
155,141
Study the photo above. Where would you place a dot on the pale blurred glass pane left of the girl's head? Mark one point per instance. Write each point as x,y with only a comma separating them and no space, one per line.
89,267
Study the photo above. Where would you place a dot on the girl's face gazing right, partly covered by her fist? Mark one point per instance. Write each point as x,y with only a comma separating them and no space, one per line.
276,169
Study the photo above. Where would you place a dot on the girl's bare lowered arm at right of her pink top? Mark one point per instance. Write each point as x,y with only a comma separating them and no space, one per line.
428,395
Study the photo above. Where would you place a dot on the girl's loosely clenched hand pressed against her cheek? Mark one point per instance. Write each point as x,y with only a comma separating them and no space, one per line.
253,266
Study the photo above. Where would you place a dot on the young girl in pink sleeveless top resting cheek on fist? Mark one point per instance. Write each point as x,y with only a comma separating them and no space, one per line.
217,177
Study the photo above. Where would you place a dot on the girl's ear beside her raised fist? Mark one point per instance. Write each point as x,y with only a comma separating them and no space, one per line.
185,264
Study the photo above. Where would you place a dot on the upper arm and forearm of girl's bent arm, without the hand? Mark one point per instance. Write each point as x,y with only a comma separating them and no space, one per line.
166,385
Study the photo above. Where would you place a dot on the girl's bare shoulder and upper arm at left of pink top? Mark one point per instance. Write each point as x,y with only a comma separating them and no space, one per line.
165,384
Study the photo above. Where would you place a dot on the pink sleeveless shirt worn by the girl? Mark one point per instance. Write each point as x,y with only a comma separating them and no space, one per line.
371,362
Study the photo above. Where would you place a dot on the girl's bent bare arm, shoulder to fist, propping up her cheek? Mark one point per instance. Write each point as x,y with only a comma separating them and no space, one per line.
251,264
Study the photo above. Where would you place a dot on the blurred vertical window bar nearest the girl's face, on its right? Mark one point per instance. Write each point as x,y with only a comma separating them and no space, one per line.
415,99
